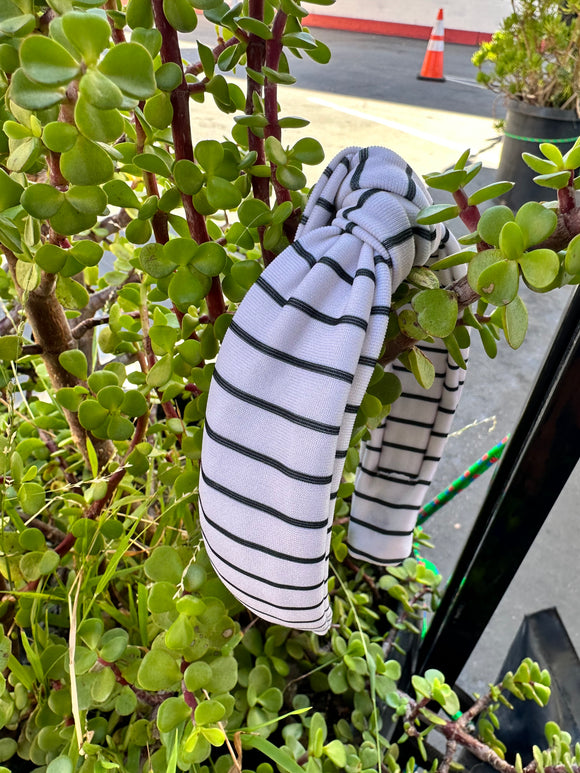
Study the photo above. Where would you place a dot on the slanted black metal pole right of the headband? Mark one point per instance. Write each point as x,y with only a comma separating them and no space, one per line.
541,455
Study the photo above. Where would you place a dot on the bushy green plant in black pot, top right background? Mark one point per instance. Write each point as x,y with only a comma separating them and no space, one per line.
533,61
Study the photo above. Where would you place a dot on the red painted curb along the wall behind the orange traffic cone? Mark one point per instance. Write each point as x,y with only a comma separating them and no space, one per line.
393,29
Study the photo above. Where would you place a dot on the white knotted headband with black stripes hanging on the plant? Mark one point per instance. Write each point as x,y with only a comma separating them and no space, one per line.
289,378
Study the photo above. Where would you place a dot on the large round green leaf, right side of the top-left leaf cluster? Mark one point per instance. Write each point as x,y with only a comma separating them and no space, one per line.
130,67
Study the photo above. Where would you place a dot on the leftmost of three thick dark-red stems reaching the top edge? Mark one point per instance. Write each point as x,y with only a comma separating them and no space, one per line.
181,129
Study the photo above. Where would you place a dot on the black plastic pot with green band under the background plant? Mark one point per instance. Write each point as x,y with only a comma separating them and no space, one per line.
526,127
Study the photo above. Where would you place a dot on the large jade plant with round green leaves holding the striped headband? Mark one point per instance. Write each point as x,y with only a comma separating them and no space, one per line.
126,249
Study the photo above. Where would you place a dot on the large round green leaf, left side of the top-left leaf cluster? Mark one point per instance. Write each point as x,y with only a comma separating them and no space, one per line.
47,62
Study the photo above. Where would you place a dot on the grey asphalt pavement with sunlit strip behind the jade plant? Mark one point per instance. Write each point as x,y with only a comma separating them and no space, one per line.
369,95
